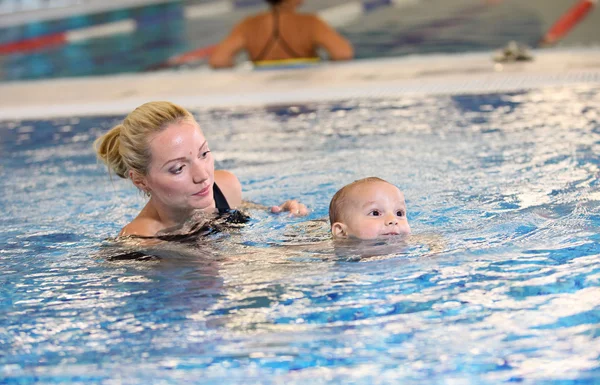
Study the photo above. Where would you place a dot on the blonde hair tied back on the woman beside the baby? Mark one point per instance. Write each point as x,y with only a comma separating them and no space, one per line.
125,147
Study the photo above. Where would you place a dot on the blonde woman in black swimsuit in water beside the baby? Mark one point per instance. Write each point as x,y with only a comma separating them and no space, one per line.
161,148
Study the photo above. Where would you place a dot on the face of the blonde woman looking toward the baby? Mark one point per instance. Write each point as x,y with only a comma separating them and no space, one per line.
181,171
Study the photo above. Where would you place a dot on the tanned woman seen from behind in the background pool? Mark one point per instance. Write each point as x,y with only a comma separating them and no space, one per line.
281,34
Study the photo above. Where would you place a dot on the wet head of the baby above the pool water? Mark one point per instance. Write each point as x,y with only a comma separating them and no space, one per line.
368,208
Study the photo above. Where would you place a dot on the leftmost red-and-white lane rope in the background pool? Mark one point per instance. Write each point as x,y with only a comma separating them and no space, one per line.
71,36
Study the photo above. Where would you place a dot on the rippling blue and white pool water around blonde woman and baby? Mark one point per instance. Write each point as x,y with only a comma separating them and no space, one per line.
508,182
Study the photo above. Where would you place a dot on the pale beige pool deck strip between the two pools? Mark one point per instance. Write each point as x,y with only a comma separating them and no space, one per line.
243,86
